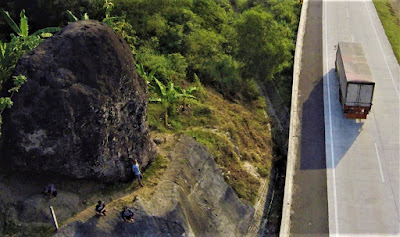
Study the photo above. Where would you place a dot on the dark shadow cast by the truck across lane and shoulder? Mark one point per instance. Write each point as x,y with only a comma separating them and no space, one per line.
313,145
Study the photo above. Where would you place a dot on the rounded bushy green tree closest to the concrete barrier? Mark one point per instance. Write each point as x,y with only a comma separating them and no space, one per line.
264,46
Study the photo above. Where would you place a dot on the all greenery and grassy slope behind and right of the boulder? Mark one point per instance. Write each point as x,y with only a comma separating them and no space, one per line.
217,51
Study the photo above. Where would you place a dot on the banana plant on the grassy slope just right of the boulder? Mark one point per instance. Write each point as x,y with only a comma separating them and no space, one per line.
169,95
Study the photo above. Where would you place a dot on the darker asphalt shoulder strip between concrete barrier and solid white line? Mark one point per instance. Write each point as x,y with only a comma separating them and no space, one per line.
309,216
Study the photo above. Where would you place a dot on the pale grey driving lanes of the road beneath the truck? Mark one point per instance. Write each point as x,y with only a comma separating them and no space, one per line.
362,156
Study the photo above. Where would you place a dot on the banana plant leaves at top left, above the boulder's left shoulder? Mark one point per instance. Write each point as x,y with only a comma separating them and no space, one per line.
23,29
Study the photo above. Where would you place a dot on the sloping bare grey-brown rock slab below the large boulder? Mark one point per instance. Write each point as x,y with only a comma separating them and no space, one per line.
192,199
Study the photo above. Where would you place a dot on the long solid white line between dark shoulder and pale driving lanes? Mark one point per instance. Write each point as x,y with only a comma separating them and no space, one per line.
330,125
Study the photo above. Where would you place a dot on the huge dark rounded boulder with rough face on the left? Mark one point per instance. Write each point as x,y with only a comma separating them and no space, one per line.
82,112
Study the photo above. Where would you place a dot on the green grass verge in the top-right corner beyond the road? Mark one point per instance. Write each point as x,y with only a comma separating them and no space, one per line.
391,24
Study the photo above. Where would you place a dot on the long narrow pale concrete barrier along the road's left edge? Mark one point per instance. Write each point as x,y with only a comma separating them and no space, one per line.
295,126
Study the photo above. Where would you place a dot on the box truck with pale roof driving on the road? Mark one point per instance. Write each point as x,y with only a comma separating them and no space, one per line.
356,84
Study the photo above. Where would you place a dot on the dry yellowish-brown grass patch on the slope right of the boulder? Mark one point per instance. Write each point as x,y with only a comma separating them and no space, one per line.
233,133
